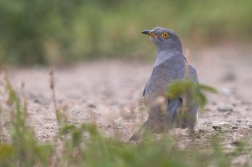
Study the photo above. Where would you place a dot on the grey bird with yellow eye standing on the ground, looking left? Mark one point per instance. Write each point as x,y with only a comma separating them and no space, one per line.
170,65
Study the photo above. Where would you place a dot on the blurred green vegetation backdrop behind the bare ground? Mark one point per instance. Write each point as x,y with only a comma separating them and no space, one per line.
64,31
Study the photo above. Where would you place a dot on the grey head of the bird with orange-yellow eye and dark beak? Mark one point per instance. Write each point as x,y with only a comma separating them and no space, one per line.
164,39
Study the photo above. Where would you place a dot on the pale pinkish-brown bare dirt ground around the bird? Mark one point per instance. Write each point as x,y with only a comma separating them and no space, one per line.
108,93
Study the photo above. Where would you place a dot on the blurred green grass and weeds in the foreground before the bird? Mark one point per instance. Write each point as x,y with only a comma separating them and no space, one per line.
83,145
